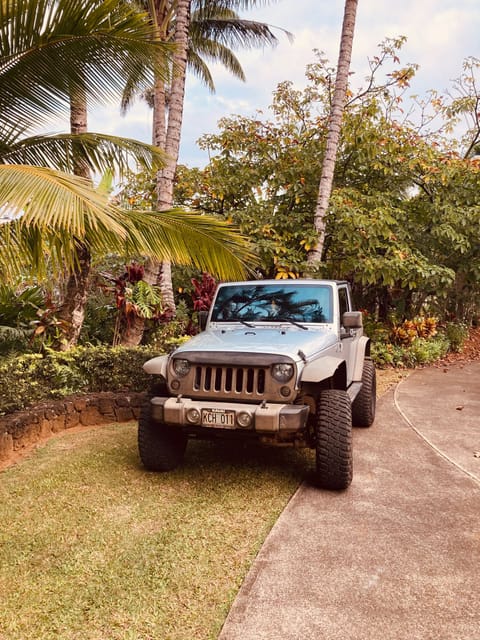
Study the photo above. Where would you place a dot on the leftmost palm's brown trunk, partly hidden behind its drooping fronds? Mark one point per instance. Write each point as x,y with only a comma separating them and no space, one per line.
72,310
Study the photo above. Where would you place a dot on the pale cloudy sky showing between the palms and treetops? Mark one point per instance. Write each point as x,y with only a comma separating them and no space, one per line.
440,35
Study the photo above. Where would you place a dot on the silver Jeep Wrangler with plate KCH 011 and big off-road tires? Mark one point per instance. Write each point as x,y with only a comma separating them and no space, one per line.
282,362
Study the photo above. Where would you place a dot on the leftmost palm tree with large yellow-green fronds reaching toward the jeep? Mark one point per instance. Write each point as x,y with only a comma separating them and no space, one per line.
61,55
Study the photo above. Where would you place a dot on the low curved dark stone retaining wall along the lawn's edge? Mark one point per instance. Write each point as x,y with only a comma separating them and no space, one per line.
25,428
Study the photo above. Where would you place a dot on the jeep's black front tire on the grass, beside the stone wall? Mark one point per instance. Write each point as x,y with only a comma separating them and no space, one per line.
161,447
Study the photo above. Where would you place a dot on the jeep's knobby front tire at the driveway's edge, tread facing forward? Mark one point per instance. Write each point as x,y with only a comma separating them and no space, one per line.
333,440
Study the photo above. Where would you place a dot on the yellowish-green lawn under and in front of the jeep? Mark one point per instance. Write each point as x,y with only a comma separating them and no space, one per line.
94,547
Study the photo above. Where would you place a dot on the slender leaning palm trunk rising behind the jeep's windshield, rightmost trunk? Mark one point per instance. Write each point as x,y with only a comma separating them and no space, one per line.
334,127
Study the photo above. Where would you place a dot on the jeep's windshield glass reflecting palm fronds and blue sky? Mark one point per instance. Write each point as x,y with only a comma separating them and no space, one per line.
276,303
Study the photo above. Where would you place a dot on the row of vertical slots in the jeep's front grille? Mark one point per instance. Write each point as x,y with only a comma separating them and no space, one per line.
224,380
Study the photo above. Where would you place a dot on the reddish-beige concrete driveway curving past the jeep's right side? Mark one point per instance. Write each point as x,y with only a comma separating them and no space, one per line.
397,556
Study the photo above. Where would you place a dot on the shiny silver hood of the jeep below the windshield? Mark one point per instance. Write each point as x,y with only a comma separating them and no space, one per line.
282,341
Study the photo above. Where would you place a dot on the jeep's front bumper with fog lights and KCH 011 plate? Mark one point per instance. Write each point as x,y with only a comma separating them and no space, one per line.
263,418
